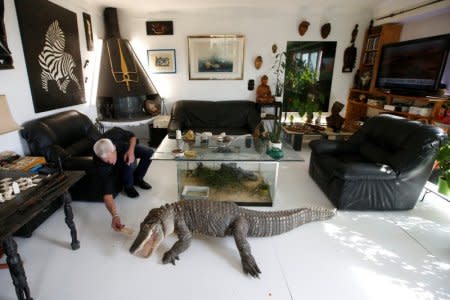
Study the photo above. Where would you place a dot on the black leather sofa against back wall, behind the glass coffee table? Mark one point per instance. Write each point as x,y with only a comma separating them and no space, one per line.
233,117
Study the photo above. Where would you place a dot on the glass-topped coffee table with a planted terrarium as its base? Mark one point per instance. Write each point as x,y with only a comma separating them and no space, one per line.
237,169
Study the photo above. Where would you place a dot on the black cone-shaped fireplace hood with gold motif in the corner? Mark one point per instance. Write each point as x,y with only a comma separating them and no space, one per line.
125,92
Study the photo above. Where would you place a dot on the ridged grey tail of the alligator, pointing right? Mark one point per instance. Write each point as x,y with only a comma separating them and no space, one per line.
272,223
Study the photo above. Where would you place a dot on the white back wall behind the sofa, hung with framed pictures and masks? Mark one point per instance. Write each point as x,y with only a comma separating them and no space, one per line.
261,29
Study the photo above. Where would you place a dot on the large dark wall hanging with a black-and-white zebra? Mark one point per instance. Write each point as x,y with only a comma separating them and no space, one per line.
52,54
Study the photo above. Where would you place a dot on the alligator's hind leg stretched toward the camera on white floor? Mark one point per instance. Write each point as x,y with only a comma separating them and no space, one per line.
240,230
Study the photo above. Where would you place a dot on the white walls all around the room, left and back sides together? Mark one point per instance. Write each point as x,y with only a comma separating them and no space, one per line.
261,28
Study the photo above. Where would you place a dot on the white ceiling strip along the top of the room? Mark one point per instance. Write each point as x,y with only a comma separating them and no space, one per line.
376,8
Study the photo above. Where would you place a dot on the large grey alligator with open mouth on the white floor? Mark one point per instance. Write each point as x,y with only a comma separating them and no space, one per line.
218,219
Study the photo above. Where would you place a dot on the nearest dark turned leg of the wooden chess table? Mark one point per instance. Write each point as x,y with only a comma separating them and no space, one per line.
16,269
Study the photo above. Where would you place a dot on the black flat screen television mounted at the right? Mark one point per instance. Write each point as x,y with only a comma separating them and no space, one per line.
413,67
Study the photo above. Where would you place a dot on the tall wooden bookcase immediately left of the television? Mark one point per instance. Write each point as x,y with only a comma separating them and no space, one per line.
375,38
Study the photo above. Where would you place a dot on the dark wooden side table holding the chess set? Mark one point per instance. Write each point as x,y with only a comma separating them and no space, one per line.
24,207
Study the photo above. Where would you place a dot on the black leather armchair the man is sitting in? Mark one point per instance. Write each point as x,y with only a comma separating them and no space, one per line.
69,135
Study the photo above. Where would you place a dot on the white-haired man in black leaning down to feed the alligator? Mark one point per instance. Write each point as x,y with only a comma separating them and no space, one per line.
117,152
